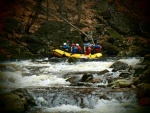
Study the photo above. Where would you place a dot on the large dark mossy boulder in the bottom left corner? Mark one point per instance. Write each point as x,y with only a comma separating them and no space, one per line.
16,101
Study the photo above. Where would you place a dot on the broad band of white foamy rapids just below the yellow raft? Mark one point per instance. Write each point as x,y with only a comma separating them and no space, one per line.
27,73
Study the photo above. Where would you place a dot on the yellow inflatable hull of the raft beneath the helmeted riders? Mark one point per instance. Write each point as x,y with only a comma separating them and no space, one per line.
61,53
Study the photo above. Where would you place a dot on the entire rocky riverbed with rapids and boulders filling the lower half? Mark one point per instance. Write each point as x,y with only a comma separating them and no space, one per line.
43,86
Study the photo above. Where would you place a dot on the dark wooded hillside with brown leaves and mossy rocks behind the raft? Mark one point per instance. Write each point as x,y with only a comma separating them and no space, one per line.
31,28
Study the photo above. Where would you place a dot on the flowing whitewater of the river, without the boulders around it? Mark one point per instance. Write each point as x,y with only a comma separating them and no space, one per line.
45,80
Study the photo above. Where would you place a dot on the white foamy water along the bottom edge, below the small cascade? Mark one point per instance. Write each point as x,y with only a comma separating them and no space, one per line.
103,106
